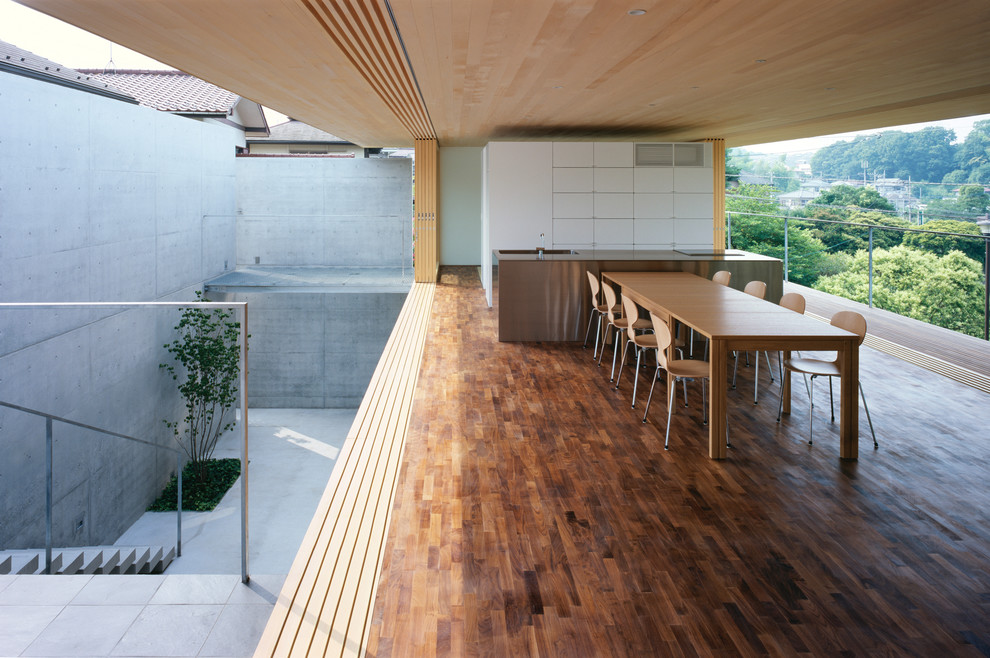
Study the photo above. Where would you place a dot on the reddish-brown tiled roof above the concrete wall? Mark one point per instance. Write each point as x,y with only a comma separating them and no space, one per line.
170,91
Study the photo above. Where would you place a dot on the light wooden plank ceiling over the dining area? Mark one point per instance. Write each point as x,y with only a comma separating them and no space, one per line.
473,71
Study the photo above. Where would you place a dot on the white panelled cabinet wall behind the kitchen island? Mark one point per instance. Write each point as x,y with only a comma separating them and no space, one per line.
593,195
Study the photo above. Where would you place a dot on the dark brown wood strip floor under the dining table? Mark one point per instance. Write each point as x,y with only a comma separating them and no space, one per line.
536,514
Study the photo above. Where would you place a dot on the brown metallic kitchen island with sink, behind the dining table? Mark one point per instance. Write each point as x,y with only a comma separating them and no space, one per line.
545,297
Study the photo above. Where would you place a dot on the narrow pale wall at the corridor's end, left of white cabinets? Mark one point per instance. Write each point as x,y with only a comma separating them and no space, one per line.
460,205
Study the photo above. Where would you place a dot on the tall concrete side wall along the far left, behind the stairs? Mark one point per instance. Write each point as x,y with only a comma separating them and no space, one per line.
99,201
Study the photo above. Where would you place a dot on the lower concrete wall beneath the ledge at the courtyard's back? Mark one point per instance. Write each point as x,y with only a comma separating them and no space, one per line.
315,350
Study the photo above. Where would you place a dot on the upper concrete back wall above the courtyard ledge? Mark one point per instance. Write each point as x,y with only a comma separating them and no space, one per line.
324,211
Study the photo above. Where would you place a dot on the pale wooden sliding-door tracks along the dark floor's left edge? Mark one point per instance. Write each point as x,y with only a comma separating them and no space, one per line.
326,603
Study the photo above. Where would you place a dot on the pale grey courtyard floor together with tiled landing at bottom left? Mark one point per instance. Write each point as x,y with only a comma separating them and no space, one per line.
199,607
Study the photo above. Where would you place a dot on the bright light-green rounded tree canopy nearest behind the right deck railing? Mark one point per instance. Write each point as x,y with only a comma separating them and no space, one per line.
946,291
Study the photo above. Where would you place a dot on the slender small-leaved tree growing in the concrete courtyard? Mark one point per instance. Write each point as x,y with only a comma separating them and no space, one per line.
207,351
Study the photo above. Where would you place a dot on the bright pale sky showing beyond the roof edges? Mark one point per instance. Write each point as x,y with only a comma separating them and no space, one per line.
78,49
